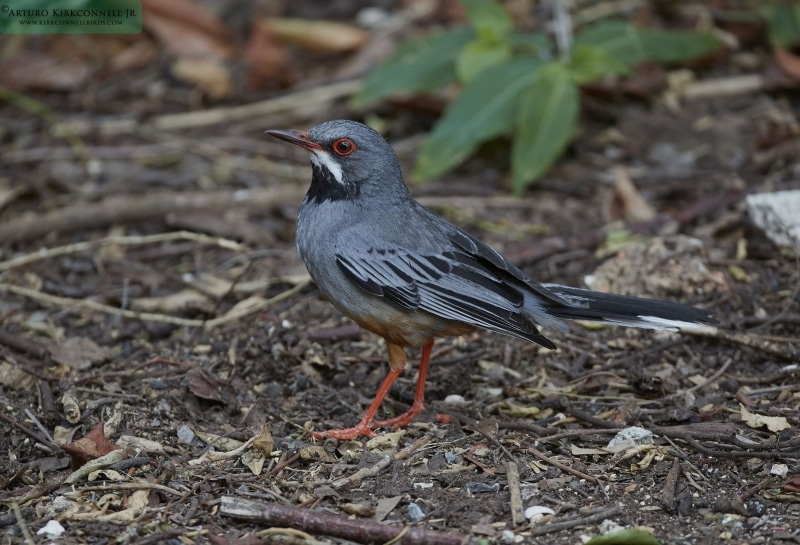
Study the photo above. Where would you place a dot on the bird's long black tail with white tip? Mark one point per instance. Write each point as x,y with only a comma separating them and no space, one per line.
624,310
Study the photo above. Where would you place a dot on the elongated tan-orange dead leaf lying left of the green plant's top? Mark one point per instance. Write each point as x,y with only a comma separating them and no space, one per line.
316,34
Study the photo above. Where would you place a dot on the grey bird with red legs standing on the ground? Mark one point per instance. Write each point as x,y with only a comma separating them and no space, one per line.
408,275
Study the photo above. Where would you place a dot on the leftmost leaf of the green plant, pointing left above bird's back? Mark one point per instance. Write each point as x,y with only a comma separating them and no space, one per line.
418,66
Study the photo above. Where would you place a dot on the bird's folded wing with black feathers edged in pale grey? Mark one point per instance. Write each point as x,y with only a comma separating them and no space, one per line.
452,284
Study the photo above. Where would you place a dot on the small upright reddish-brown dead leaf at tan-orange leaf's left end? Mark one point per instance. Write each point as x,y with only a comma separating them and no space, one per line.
268,59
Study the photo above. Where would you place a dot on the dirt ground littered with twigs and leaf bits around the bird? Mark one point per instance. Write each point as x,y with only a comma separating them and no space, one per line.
149,282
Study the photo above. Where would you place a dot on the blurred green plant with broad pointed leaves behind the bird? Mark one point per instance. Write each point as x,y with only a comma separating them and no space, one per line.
513,83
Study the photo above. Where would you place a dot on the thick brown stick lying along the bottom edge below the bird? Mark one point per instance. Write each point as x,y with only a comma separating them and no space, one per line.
361,531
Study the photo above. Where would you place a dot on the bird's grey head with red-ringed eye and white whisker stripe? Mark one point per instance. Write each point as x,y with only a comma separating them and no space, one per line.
348,160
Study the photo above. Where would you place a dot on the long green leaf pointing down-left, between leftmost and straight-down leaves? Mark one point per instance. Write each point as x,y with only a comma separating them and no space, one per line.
485,109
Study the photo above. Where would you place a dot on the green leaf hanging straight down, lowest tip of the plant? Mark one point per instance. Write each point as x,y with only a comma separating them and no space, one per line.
547,117
